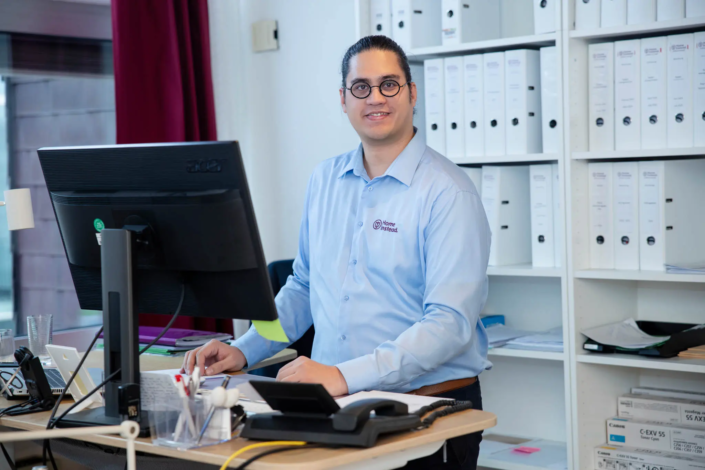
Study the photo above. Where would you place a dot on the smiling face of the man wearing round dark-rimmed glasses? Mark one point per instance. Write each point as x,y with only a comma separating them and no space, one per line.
378,117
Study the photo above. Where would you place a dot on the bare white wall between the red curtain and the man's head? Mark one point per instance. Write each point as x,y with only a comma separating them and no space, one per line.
283,105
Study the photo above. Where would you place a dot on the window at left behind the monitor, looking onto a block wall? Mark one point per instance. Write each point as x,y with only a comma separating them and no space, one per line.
58,92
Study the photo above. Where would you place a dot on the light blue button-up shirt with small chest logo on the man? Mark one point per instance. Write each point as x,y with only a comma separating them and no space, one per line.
391,271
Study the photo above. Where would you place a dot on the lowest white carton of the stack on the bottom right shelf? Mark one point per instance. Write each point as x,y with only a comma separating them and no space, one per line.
629,458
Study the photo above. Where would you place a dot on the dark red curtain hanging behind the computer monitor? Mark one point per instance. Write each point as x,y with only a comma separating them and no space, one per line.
163,86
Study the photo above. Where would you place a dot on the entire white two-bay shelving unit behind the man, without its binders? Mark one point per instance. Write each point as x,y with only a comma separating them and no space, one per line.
571,394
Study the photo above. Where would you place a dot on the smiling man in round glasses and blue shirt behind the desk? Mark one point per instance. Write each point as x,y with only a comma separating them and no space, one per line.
392,260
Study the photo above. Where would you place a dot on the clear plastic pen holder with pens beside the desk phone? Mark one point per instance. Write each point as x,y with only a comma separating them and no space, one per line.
178,423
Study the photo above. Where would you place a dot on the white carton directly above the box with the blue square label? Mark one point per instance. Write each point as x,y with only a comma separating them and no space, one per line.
663,409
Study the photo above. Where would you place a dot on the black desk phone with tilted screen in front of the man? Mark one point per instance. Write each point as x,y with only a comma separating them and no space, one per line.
307,412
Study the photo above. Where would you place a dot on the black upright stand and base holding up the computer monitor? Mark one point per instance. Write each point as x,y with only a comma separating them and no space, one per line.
120,335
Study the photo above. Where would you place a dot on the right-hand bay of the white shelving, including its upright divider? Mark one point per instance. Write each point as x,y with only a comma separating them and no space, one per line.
597,297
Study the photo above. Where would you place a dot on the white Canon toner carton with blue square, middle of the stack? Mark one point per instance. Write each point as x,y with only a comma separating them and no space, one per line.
681,439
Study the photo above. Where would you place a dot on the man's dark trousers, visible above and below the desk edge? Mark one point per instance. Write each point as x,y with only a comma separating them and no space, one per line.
460,452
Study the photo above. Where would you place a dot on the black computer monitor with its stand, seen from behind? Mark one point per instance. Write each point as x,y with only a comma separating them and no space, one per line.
139,223
